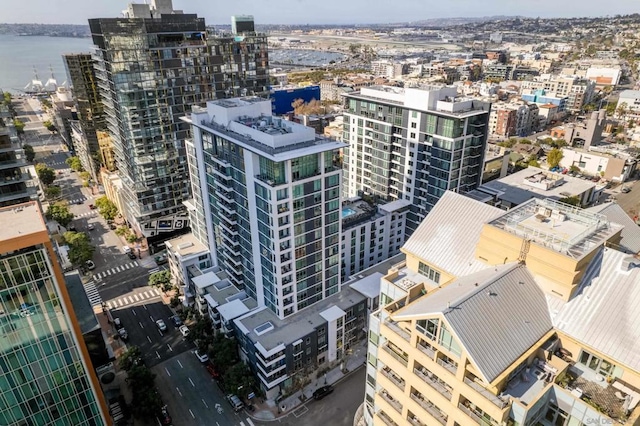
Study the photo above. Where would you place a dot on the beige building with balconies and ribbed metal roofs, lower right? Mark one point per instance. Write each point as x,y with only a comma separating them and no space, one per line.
525,317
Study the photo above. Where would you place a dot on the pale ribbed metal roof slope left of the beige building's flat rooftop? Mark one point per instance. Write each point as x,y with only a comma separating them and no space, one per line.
448,236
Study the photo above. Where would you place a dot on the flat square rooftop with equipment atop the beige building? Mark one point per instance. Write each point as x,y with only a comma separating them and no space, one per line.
561,227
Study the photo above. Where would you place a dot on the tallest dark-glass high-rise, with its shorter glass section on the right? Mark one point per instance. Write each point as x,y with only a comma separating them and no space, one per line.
152,65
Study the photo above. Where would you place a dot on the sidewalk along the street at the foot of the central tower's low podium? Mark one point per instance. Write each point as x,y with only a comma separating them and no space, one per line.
269,410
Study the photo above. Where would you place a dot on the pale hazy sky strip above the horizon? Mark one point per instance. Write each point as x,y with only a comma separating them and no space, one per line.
315,11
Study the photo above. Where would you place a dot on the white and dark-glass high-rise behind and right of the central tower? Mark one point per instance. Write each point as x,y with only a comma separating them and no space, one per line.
413,144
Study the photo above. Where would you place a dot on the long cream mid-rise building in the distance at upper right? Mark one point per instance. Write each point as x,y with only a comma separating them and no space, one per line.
579,91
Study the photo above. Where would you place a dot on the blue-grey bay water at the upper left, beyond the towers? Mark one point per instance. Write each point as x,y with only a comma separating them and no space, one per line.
20,55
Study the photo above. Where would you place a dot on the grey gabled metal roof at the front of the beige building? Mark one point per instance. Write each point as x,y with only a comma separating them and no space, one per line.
497,314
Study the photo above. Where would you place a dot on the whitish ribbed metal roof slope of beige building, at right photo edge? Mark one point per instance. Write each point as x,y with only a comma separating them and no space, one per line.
605,313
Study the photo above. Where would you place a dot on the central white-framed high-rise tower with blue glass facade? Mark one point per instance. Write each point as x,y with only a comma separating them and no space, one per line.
272,194
